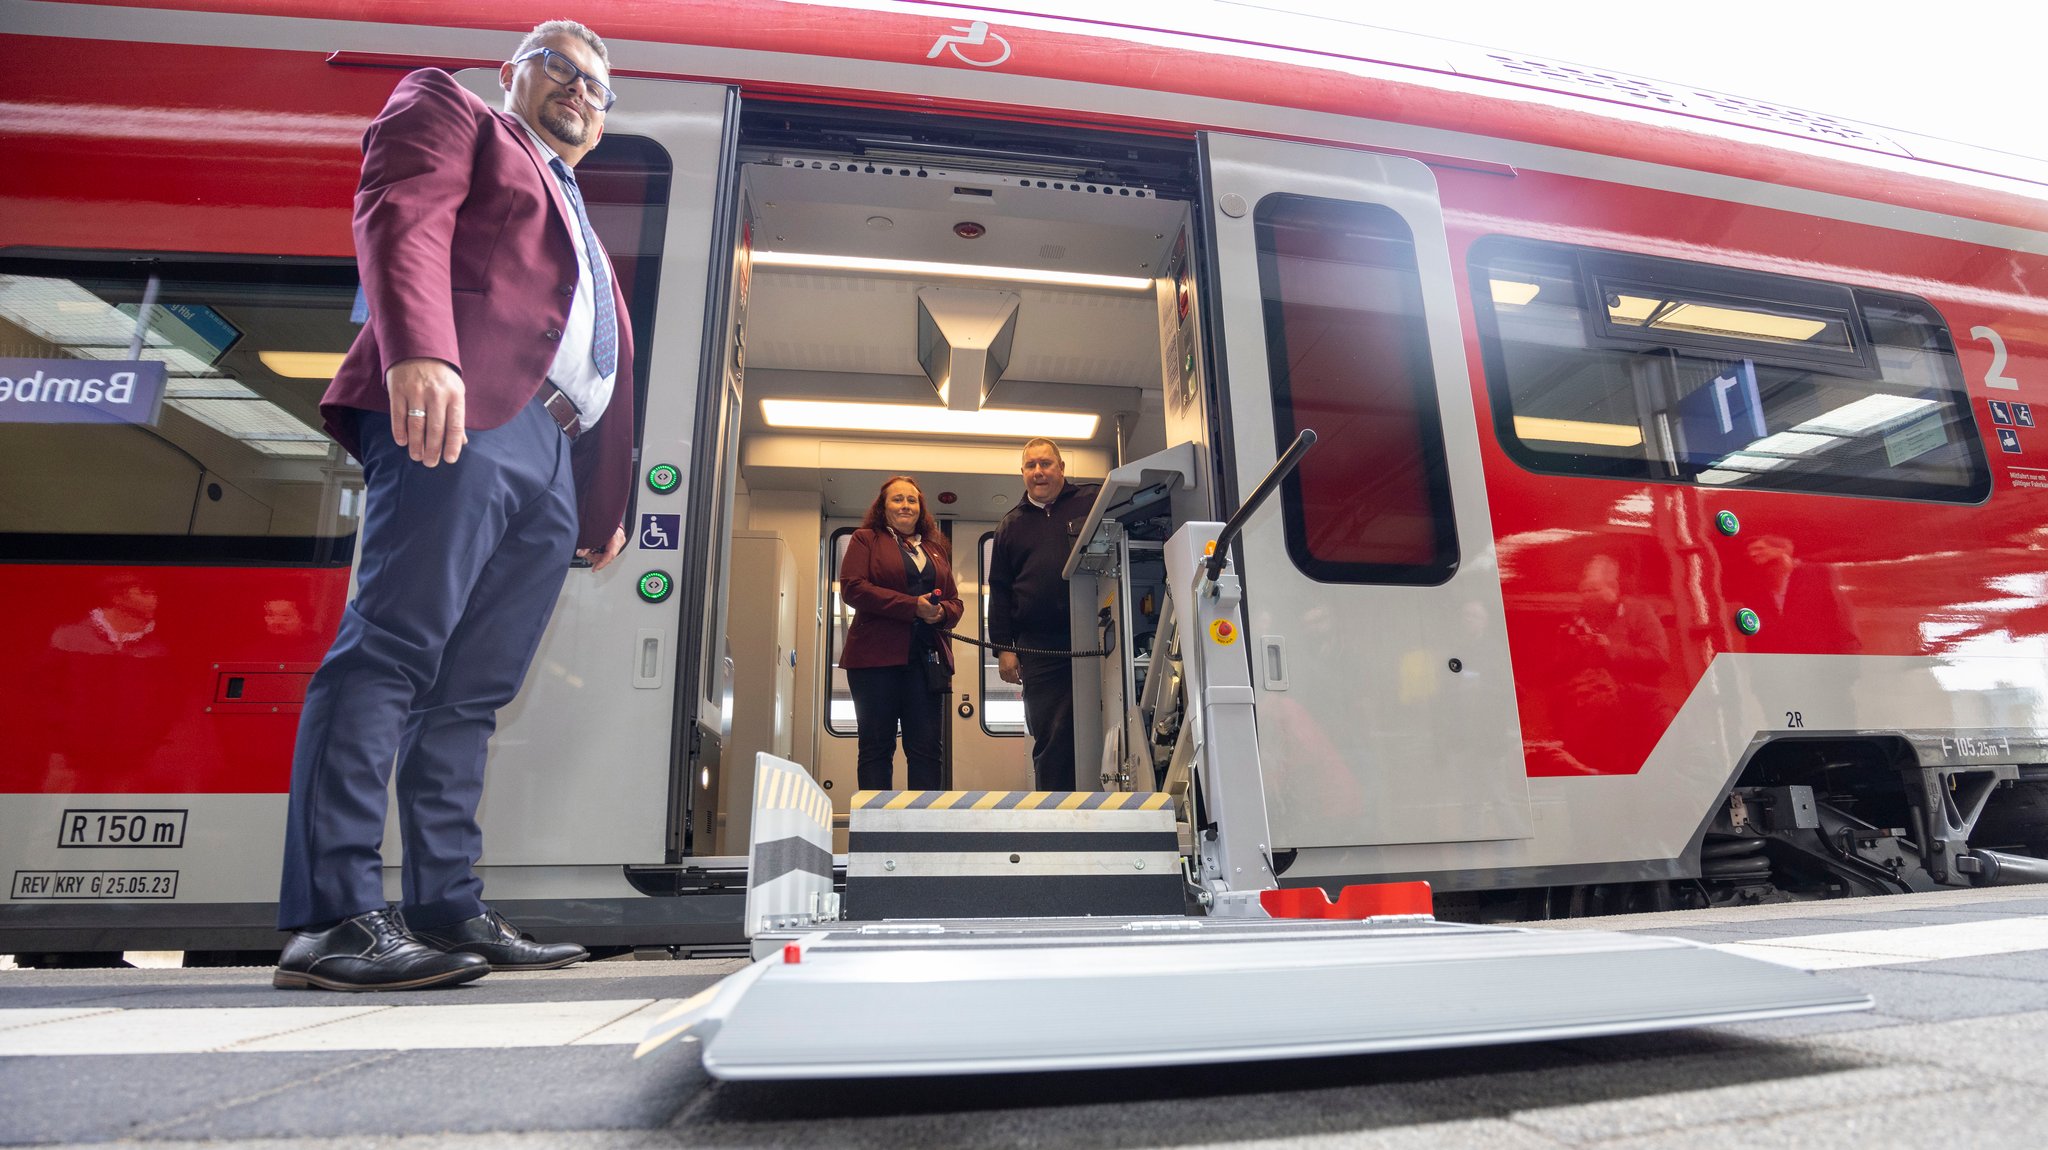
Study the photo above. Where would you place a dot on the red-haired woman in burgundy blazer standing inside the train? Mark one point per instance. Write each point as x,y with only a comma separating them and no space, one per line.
898,578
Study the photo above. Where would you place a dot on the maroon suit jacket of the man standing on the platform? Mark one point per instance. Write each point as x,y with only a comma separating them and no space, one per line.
466,257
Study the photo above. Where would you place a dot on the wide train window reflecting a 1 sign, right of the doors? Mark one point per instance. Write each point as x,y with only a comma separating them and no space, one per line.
1691,373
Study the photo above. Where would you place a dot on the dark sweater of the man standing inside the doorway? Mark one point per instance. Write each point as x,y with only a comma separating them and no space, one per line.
1027,592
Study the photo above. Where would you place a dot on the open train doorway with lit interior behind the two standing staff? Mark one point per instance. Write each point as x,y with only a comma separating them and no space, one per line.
919,298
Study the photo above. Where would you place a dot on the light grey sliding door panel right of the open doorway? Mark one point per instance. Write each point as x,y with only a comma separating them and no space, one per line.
1375,623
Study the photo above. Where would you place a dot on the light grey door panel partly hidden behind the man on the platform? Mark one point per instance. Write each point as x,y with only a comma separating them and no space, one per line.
583,766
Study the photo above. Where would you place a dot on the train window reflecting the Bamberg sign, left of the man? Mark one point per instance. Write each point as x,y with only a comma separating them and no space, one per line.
226,463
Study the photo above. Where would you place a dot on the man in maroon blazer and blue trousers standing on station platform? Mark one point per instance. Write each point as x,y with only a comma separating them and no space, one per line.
490,402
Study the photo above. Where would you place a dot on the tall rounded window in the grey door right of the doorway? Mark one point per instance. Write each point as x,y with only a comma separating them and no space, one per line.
1349,355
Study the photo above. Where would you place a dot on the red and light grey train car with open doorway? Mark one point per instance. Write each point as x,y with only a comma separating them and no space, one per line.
1676,533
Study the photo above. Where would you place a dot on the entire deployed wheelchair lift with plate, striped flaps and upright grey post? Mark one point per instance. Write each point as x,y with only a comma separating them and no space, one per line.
830,1000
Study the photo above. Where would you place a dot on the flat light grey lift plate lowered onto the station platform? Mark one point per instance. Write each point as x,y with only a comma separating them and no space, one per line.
1002,996
